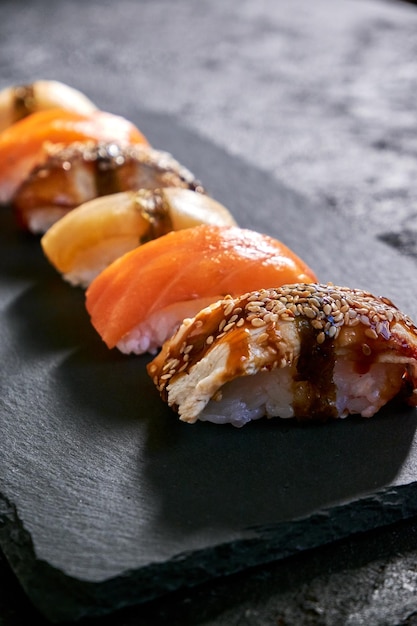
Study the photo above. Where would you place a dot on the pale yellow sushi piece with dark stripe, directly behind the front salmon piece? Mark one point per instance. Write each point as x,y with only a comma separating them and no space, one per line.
86,240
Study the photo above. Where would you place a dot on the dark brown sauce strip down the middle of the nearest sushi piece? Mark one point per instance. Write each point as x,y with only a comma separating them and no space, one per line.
314,391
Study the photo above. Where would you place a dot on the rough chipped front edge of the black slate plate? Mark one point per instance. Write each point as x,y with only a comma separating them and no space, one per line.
61,598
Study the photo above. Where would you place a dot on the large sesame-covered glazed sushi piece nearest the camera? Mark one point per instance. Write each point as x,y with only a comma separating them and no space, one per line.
304,351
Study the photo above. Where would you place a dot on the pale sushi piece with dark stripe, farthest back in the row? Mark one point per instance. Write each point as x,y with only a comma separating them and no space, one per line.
19,101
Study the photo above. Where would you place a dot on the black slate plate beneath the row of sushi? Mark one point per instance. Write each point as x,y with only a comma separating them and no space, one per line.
106,499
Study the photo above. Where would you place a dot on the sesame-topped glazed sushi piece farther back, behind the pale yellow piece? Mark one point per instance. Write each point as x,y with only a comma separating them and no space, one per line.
82,171
